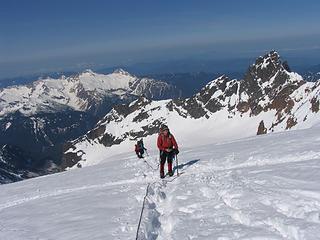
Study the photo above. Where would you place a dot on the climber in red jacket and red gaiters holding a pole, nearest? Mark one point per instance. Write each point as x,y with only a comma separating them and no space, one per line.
168,149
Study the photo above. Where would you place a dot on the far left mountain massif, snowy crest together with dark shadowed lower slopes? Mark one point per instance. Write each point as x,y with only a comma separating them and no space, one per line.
38,118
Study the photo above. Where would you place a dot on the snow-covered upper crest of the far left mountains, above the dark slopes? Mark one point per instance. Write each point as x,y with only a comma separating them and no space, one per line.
81,92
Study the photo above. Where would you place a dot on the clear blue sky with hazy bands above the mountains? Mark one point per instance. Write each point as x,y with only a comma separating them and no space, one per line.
46,35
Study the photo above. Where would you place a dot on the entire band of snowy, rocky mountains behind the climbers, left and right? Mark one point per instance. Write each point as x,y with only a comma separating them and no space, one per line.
54,124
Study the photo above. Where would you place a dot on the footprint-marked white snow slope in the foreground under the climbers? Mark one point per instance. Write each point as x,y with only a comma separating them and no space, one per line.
263,187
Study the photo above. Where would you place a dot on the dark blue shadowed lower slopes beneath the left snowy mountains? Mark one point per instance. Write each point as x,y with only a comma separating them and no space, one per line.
39,137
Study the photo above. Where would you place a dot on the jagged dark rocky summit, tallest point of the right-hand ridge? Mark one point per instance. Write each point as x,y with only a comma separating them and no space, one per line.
266,80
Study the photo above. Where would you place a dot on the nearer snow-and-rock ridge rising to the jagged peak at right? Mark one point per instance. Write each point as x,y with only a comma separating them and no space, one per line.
269,98
